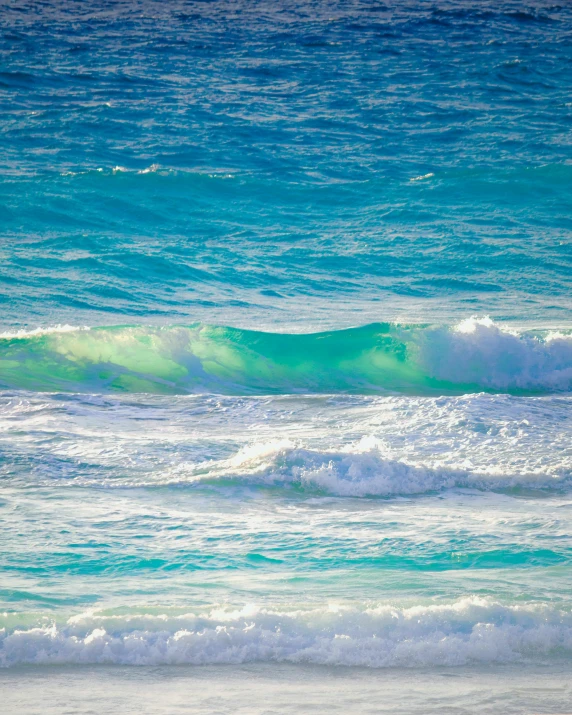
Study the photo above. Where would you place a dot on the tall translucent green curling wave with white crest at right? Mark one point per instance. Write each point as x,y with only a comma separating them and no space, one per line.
475,355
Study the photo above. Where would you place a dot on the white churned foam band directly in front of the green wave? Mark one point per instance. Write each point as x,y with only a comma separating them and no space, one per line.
343,445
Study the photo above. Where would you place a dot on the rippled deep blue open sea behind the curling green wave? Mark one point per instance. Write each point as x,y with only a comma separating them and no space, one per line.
259,162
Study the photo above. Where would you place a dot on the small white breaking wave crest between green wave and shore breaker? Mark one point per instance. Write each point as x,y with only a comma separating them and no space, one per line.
362,469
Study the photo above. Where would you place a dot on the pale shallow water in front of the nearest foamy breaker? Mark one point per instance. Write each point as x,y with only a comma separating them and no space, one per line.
264,689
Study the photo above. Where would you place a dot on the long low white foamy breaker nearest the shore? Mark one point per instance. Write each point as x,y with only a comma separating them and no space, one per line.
470,630
